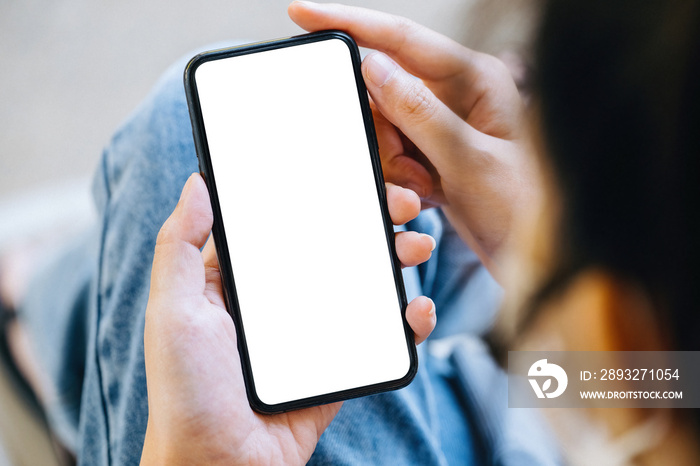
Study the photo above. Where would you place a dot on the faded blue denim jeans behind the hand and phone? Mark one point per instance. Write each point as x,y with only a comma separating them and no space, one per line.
85,316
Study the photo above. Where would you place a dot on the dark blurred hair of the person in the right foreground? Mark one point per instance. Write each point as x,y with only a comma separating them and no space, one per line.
618,87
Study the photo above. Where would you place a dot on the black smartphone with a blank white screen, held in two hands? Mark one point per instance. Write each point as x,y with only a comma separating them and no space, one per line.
286,145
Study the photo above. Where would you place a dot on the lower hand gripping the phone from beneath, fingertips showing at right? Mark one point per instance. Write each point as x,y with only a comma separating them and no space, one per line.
198,409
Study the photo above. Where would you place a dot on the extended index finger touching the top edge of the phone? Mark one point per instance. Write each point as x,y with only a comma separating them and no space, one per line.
420,51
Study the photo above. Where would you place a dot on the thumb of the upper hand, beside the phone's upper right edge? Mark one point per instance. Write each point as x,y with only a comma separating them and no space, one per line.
408,104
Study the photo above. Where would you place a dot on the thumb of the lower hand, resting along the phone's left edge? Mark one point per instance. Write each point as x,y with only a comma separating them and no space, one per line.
178,268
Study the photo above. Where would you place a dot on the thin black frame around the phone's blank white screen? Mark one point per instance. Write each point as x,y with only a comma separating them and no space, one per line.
228,282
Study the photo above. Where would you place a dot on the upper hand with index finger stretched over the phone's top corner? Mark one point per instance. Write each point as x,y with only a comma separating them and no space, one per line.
456,135
